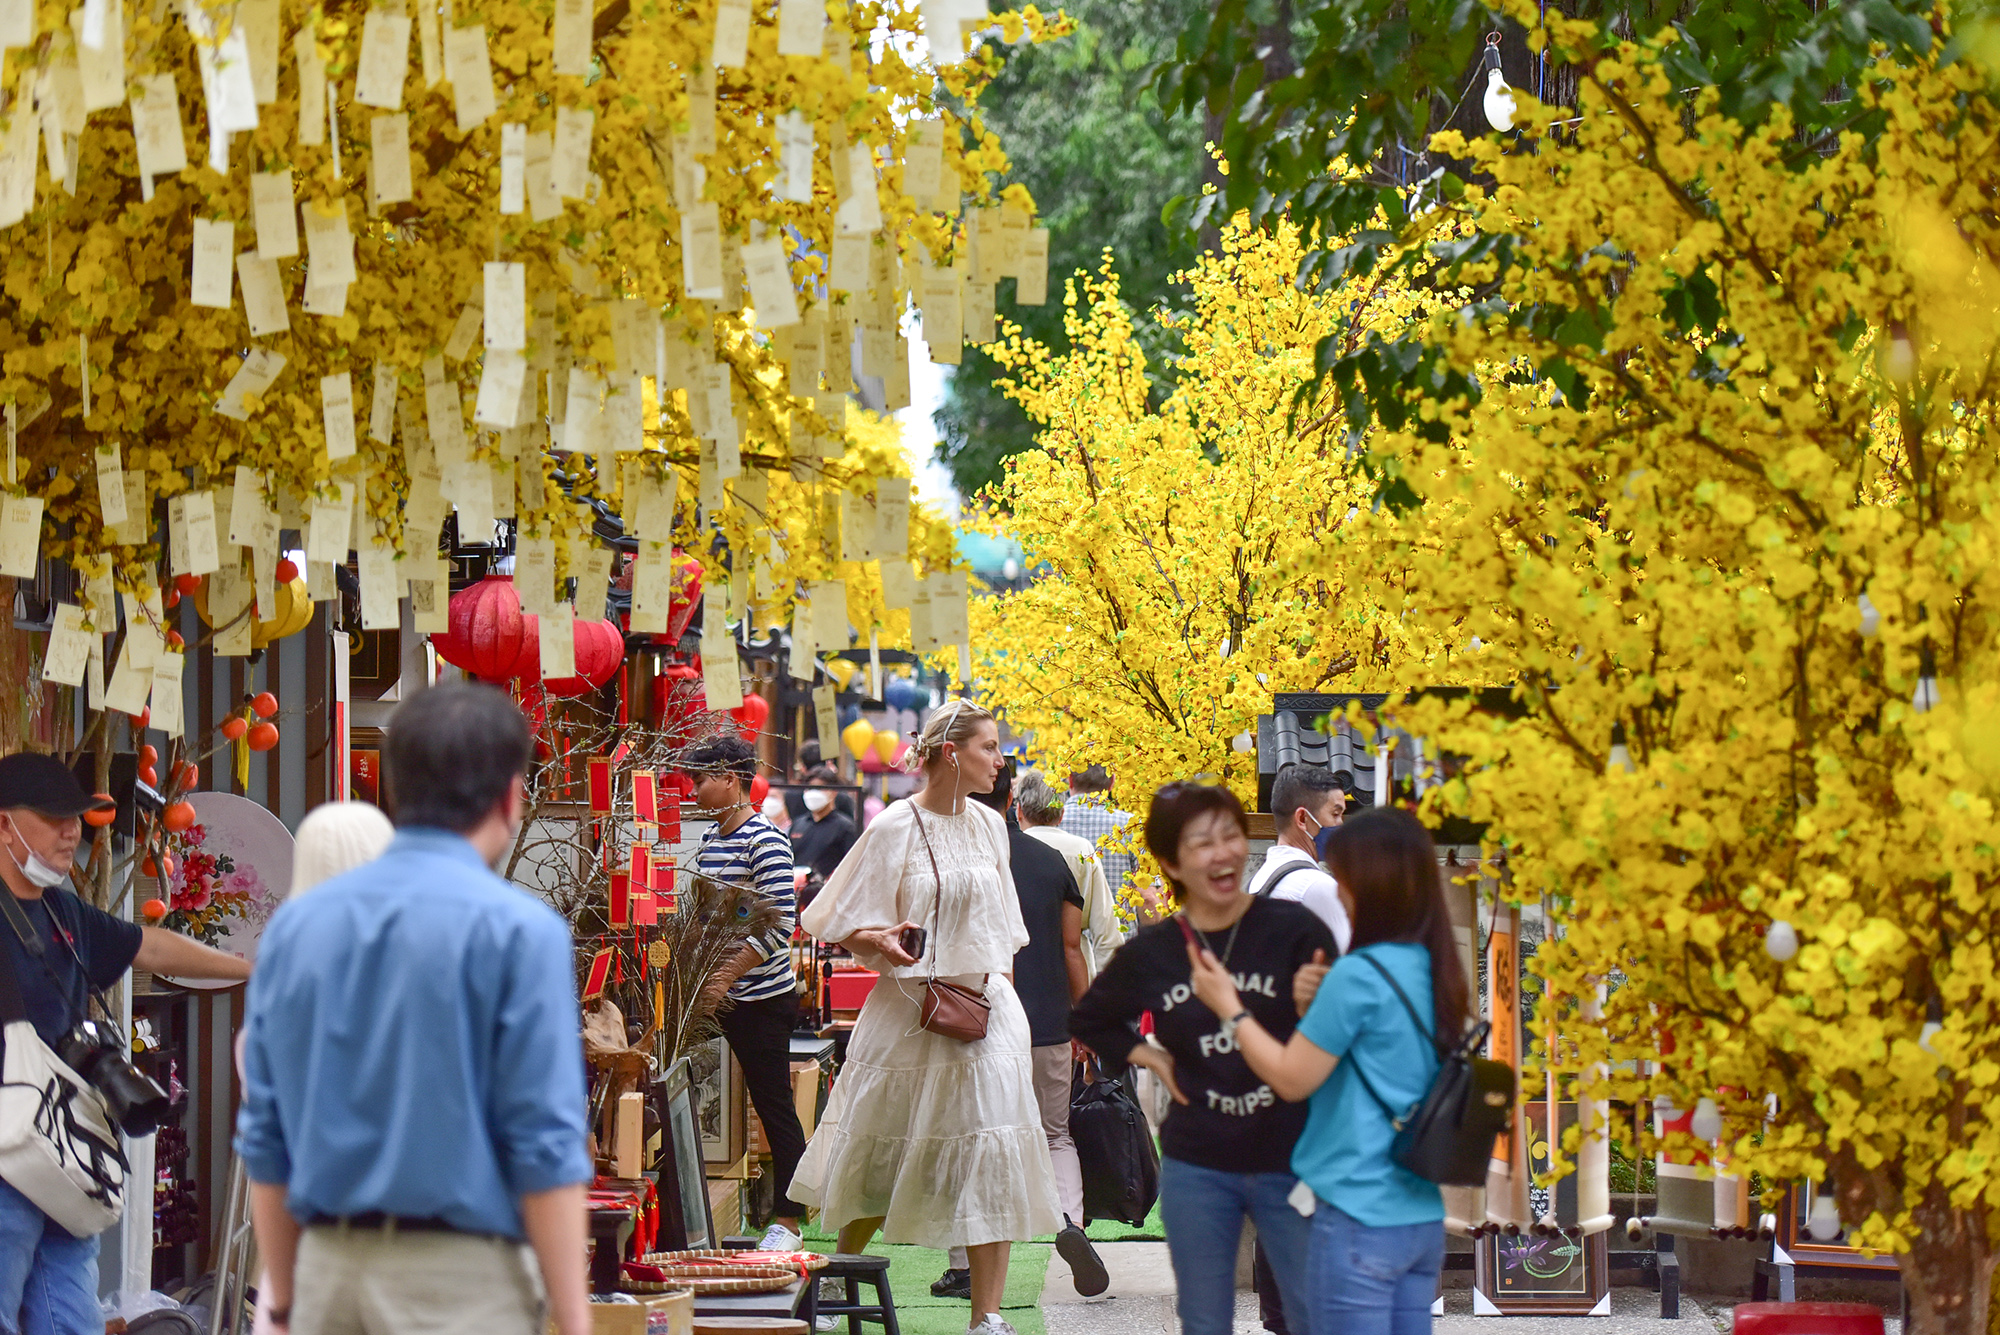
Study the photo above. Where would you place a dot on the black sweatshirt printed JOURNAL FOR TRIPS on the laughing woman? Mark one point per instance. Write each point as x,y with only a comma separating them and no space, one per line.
1231,1122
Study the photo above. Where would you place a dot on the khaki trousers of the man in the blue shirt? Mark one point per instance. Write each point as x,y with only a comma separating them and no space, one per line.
373,1282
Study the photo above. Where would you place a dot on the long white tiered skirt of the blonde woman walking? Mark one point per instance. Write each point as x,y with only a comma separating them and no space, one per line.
939,1138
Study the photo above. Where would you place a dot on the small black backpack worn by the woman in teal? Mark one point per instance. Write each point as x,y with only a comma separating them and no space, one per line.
1449,1134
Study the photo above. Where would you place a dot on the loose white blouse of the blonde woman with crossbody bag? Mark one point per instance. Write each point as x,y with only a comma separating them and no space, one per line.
887,878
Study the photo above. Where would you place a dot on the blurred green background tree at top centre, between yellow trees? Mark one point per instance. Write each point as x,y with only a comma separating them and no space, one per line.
1103,161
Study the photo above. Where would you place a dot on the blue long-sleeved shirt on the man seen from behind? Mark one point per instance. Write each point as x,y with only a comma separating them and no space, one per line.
415,1044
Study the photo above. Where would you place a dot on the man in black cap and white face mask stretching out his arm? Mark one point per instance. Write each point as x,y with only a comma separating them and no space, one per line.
49,1280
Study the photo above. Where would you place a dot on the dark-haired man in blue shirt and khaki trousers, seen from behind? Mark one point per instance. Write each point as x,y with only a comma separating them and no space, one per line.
415,1078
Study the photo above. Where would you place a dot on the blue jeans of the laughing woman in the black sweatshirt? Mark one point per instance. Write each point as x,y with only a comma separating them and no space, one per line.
1203,1212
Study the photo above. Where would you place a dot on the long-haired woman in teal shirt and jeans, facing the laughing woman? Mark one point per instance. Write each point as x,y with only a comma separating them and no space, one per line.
1377,1228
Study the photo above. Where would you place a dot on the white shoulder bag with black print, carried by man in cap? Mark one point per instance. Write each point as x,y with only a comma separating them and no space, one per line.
57,1144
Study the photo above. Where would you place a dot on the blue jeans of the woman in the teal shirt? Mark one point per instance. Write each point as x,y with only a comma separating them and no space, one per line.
1373,1282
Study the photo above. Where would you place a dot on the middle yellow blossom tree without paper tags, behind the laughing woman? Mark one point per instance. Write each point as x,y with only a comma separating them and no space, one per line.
1173,545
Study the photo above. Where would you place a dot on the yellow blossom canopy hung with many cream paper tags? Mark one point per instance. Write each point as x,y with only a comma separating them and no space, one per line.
545,209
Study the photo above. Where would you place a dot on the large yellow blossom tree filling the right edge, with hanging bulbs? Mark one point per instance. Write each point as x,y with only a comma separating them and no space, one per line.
1721,467
